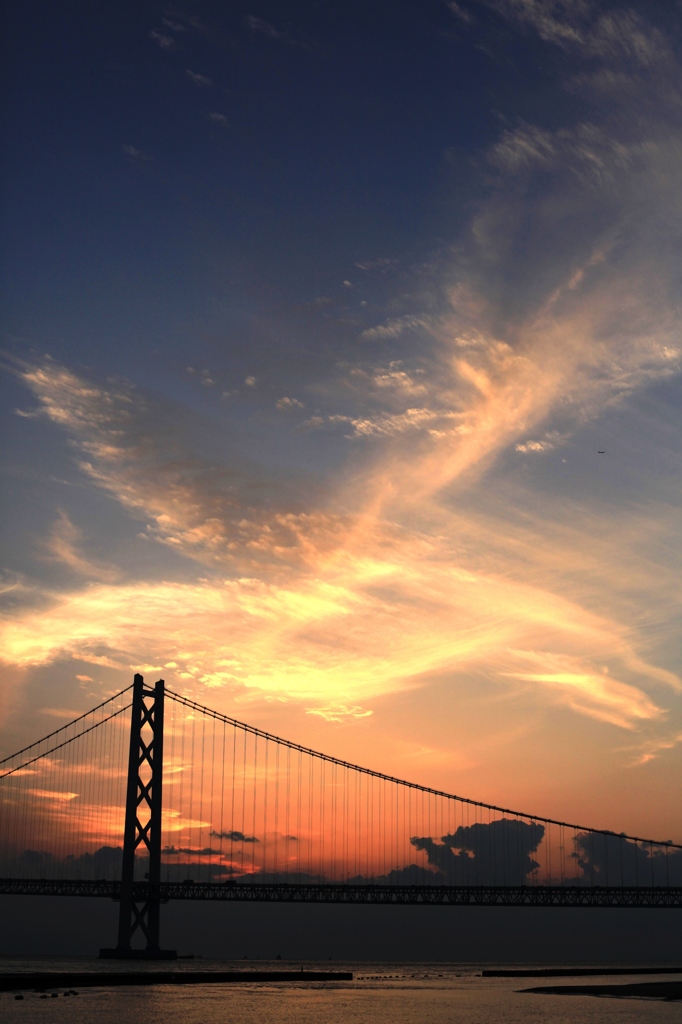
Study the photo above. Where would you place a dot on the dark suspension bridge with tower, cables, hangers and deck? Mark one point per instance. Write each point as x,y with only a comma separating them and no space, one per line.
151,797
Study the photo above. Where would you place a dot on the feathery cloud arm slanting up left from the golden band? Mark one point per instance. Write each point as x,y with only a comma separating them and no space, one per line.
136,450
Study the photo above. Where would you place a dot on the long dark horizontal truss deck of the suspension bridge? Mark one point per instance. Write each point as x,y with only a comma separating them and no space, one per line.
286,892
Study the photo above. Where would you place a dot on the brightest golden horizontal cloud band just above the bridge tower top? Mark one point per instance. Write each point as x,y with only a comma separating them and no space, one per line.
371,627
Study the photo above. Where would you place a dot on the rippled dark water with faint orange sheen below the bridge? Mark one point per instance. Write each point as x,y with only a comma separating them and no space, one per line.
380,994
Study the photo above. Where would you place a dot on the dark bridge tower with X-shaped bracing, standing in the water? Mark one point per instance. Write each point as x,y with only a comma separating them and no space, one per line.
143,827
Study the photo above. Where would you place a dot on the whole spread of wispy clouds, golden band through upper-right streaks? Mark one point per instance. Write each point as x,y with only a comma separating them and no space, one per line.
560,308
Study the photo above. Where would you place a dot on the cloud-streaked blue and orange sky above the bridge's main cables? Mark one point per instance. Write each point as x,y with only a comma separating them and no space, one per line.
342,359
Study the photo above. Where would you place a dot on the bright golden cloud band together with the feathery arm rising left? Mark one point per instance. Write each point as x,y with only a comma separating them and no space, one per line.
370,608
